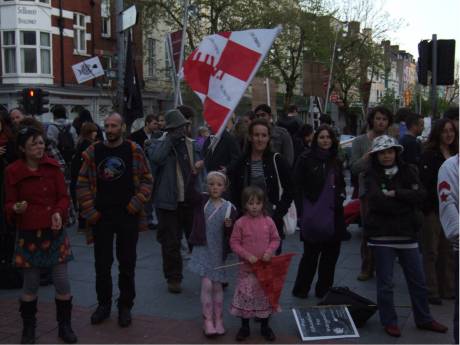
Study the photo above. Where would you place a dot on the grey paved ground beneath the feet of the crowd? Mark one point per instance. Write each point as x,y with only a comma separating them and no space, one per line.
161,317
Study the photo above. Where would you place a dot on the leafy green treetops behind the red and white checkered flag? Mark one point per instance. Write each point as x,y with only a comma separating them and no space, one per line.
305,23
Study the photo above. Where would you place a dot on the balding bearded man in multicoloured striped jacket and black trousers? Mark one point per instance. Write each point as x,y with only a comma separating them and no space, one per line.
114,184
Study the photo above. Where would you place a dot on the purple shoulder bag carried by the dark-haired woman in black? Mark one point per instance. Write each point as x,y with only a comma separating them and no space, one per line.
318,218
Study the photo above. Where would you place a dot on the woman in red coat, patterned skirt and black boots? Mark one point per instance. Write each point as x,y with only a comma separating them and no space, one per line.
37,202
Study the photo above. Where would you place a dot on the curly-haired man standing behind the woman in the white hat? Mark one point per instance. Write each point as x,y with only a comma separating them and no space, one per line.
378,121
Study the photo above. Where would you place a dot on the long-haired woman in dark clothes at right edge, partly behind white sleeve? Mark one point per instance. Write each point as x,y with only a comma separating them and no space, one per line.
437,253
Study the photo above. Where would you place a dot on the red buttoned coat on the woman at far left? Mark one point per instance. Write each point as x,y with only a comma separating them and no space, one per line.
44,190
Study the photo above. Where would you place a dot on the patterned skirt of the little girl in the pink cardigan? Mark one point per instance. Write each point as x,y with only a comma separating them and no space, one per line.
249,299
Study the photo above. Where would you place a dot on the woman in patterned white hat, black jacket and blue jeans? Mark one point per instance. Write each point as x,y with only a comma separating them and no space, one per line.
392,220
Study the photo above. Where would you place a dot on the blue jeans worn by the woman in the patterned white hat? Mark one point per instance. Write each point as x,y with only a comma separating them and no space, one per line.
411,263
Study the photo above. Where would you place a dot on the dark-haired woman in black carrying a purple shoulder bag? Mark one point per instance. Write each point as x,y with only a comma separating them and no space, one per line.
321,190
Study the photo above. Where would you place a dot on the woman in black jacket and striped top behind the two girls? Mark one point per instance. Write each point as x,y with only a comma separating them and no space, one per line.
257,167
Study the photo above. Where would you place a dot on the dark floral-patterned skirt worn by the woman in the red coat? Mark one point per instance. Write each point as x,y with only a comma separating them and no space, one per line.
42,248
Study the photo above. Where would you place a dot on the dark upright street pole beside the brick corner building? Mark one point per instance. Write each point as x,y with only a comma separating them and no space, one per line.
119,7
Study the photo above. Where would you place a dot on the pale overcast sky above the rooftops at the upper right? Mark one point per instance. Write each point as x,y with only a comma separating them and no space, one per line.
423,18
